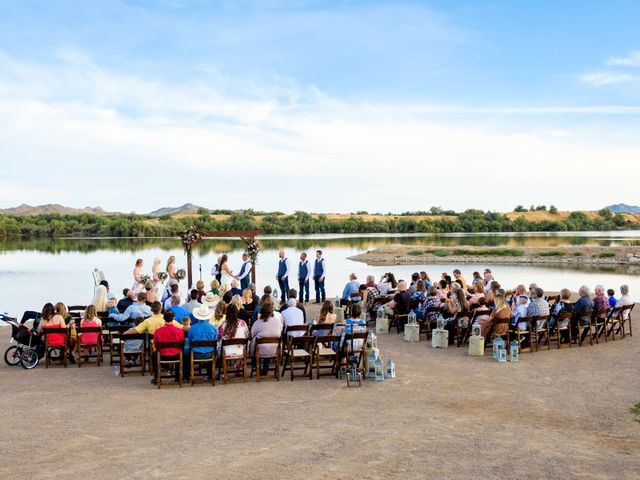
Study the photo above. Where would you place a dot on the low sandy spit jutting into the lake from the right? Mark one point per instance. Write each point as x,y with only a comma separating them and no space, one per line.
565,255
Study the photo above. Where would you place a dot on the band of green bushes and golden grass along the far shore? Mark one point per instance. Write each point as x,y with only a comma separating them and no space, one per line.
435,220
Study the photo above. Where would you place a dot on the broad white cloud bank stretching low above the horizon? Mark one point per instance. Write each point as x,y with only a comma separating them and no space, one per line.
82,135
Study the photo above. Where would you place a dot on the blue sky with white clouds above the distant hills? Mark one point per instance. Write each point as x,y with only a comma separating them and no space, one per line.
319,106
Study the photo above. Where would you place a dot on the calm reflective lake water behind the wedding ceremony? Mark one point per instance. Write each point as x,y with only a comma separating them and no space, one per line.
33,272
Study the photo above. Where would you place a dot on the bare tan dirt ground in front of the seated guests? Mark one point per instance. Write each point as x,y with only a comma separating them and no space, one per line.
556,414
